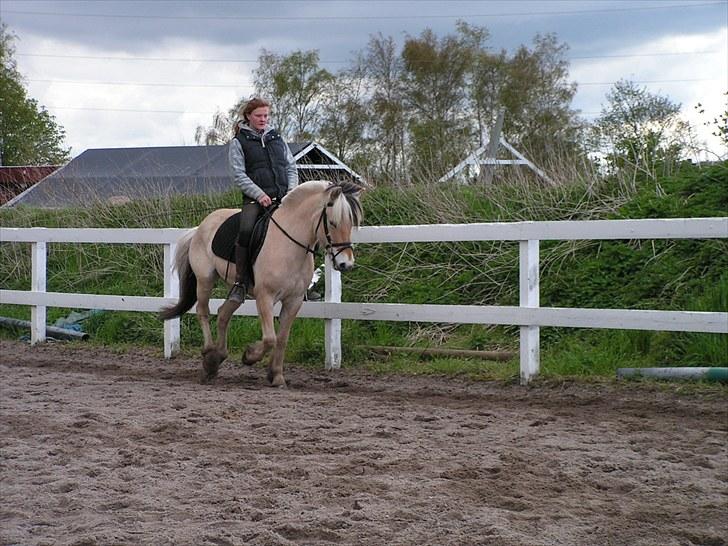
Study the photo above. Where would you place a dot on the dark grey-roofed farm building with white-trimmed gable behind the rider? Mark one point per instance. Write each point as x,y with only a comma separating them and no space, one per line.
119,175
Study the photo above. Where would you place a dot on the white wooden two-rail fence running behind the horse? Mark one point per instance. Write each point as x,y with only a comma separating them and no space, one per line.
528,315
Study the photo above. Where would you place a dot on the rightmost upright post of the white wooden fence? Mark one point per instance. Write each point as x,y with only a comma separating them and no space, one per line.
529,297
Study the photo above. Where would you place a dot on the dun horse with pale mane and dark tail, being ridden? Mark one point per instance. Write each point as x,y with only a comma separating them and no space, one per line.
316,213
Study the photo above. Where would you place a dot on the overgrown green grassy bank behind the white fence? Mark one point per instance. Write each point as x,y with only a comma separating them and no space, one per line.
686,275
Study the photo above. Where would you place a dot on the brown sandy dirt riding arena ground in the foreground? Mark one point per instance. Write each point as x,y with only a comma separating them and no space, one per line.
102,447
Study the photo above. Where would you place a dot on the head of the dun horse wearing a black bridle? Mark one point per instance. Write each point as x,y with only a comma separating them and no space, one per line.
339,217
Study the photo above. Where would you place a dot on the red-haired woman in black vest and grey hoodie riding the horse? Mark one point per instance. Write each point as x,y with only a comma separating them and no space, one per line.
263,166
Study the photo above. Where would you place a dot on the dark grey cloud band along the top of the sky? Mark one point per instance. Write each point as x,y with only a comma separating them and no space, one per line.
137,27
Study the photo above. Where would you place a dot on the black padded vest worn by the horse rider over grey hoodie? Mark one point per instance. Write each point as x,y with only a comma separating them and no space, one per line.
265,161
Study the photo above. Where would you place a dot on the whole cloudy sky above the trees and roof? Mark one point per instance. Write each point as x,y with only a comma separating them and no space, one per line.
148,73
